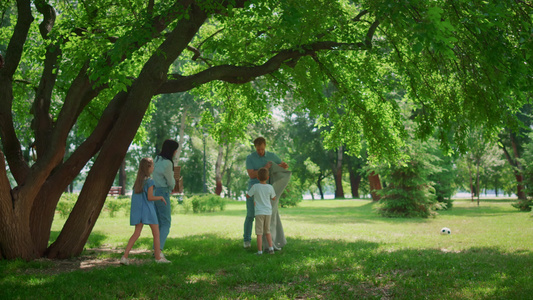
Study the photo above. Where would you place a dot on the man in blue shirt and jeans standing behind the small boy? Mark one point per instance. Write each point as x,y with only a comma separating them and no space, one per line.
254,161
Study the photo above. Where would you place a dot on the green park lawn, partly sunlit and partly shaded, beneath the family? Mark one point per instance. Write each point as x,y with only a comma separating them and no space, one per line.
336,250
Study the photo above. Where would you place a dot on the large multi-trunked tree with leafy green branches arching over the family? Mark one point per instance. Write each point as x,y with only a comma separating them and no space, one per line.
99,63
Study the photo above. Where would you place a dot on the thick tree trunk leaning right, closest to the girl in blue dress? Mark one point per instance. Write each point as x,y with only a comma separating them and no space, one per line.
92,197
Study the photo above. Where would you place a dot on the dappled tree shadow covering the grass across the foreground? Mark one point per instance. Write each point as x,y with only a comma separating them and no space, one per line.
213,267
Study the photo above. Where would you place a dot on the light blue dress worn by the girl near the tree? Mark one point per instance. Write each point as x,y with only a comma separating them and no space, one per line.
142,210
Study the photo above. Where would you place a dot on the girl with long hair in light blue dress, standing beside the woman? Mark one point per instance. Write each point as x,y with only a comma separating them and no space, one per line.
143,209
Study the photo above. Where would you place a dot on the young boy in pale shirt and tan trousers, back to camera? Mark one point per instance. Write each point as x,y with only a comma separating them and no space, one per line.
263,194
